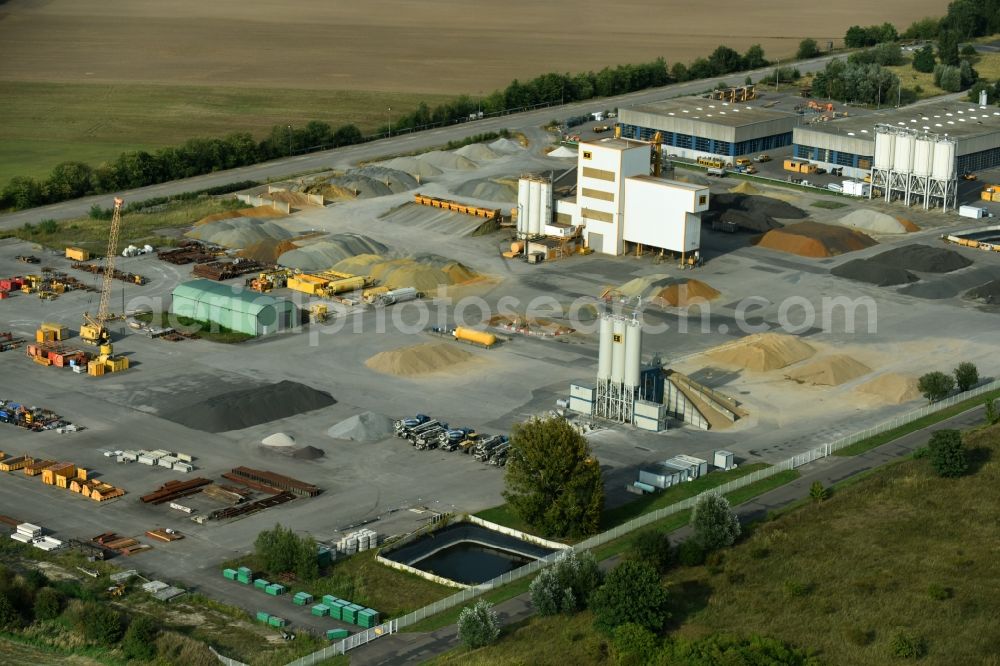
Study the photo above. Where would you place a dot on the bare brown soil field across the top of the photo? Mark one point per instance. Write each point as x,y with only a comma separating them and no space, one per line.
400,45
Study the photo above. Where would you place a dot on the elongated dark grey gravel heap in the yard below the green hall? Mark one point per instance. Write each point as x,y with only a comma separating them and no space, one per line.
249,407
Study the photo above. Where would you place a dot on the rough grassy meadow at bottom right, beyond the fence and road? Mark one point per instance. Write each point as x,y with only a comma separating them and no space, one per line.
899,551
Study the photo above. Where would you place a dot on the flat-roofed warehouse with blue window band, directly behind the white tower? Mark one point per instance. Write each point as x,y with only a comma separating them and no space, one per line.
693,127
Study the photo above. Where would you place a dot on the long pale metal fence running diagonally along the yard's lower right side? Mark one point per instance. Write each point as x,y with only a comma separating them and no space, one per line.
799,460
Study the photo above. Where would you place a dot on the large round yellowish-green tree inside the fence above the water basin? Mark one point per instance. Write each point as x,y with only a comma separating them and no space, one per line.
552,481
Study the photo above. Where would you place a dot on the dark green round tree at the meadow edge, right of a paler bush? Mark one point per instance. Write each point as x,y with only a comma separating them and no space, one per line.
631,593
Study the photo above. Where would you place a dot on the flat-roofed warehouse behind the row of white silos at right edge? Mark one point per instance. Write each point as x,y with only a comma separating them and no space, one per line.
850,142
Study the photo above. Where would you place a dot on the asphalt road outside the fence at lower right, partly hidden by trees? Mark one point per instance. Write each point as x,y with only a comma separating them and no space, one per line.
415,648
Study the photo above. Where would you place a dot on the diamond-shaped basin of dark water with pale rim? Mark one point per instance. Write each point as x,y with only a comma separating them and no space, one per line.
467,553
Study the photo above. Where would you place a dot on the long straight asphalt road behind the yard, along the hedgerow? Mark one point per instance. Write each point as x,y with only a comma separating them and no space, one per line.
405,143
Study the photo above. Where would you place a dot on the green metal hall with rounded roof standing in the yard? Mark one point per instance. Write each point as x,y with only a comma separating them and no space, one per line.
233,307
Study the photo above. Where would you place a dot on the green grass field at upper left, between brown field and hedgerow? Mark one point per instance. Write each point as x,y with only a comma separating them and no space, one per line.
44,124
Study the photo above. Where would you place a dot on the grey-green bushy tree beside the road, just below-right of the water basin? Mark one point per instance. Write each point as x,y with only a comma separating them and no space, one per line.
566,585
